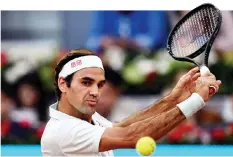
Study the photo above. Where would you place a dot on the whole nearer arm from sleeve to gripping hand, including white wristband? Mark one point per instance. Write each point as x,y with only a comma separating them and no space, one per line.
155,126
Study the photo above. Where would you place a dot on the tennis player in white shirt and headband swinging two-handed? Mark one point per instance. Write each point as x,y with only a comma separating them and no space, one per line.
75,128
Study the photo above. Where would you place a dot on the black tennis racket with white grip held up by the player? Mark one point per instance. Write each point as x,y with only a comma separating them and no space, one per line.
194,35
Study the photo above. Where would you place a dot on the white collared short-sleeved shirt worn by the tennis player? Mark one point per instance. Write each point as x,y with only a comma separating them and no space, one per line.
65,135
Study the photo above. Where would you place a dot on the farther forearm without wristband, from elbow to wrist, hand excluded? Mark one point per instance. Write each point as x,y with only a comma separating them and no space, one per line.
158,107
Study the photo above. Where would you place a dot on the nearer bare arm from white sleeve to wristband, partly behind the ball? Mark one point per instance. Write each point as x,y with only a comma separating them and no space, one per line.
155,126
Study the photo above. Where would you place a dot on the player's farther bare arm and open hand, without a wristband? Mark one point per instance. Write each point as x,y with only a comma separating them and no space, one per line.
182,91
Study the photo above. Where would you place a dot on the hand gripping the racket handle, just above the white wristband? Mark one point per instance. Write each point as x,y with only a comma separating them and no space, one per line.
203,83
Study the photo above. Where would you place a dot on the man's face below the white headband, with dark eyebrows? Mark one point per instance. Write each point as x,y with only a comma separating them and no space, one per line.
85,89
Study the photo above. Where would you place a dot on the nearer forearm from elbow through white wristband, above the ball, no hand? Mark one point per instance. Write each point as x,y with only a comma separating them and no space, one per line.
157,126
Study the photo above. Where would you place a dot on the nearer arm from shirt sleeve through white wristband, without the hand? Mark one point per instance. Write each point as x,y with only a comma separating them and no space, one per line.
155,126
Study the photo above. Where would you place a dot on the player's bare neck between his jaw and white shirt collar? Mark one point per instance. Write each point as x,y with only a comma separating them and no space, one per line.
65,107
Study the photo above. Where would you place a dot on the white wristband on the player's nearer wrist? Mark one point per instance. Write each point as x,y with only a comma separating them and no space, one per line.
191,105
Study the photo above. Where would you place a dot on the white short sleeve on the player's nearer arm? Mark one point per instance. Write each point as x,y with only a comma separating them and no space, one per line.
82,139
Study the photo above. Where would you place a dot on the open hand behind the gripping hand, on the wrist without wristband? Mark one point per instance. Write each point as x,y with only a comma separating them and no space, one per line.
185,86
